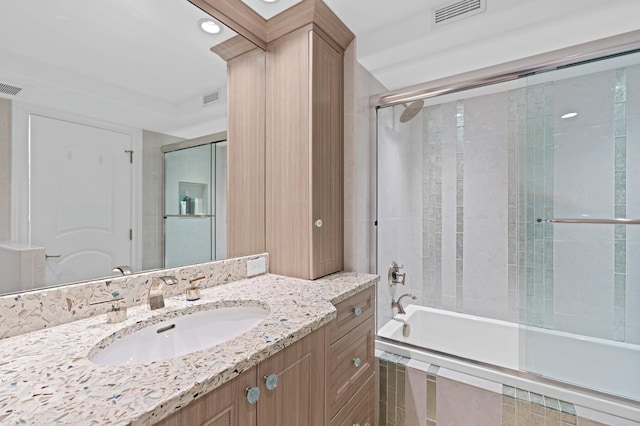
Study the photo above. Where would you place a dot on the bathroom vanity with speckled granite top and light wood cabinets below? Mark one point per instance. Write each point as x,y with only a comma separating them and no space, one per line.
314,350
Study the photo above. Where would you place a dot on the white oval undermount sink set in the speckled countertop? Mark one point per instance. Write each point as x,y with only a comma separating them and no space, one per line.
180,335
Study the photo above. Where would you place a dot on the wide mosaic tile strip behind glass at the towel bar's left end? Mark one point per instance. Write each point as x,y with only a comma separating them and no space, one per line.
539,204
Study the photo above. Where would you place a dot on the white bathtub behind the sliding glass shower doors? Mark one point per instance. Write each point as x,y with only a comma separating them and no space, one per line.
609,367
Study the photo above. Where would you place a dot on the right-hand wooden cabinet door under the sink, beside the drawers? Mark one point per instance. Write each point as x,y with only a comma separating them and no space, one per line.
298,398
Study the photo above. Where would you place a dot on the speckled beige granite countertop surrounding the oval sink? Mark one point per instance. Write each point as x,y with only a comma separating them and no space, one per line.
47,378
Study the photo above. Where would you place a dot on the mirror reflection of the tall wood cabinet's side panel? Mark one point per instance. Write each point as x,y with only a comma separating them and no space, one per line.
246,154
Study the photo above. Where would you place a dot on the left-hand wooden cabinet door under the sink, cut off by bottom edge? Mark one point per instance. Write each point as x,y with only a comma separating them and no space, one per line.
225,406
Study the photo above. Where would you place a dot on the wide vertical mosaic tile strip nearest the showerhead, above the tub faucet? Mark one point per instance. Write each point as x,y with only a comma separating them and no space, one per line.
432,202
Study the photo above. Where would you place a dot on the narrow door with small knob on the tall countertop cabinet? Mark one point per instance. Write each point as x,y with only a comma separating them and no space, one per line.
327,167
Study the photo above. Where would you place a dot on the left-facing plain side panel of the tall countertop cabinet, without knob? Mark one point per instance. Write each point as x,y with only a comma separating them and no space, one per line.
288,176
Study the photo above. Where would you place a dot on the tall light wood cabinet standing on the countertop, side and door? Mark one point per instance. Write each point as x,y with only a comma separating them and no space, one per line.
304,155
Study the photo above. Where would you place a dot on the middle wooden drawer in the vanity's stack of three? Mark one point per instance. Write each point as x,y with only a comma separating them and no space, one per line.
351,363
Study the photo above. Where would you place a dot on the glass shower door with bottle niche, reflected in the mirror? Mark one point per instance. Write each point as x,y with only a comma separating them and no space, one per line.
192,192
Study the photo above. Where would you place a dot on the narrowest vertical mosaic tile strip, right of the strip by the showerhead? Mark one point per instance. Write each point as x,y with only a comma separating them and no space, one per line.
460,206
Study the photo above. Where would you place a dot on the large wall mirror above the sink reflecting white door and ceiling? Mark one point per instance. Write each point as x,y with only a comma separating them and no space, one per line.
93,97
